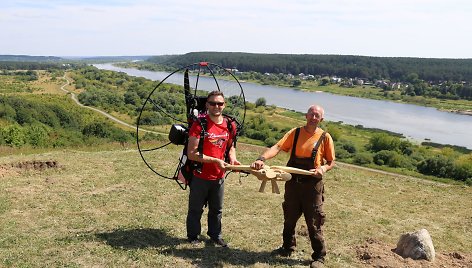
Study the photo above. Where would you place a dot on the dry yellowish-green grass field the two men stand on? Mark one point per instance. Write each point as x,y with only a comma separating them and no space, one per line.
106,209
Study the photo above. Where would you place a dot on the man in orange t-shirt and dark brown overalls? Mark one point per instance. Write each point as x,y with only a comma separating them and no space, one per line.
310,149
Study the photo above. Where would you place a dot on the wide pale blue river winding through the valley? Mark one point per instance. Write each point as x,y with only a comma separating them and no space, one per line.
414,122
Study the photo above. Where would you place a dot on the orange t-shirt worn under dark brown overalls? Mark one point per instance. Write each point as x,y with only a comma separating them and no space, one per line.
305,144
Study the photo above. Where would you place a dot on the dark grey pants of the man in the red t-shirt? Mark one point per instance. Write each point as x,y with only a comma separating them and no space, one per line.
201,192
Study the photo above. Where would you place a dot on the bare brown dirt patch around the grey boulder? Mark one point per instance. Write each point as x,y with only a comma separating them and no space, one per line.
374,253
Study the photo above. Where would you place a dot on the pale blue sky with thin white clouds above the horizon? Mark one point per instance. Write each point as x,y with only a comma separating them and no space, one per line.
386,28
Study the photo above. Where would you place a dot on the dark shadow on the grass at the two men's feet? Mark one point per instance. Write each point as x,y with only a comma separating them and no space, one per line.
204,255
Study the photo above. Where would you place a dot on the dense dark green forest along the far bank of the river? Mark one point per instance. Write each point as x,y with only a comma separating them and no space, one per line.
395,69
